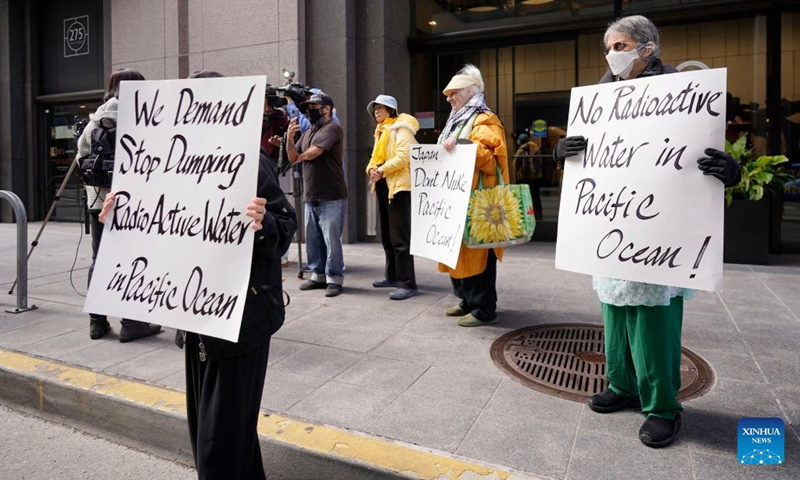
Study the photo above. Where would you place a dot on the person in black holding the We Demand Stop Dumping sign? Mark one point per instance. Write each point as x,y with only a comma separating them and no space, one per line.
225,380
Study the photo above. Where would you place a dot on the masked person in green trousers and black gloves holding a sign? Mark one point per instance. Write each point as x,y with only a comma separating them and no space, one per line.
643,321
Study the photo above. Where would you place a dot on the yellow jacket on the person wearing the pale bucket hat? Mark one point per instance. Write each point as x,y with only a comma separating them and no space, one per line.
396,166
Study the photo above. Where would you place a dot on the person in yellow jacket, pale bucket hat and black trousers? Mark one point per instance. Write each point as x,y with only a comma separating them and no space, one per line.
389,171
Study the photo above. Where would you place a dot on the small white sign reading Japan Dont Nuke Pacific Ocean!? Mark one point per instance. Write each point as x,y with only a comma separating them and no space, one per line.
440,187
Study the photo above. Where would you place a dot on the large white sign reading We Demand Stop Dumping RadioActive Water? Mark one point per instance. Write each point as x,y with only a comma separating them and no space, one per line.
176,250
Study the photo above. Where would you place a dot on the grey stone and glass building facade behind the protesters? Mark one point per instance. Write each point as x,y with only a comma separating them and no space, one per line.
55,56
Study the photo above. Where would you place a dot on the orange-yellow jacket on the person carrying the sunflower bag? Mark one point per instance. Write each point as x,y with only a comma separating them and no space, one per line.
487,132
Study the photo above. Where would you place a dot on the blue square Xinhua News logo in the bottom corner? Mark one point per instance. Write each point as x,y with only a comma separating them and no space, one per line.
761,441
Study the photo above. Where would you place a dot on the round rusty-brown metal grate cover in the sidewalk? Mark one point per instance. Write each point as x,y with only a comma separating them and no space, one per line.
567,361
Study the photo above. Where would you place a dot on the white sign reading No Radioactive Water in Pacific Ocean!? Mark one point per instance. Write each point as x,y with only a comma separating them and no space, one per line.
634,205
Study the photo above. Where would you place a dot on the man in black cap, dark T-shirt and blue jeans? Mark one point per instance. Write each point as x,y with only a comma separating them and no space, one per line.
320,148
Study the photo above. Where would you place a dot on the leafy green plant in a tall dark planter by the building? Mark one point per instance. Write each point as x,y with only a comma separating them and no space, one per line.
747,216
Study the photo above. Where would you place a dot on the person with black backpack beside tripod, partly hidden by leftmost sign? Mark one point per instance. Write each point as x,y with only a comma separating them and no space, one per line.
96,161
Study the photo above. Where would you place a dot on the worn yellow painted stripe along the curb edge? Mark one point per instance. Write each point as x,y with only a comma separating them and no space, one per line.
326,440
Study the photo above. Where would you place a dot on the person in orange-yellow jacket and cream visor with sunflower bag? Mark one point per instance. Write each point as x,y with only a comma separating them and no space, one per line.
471,121
